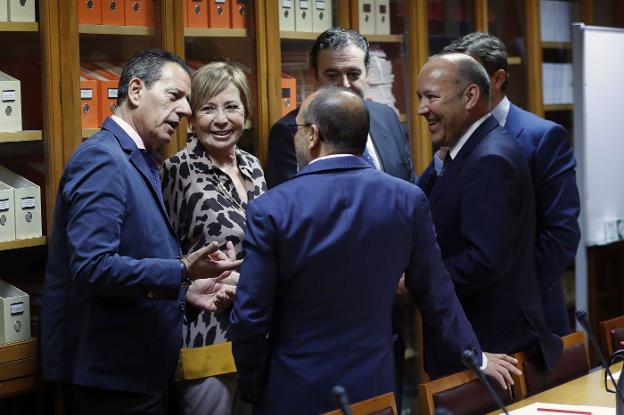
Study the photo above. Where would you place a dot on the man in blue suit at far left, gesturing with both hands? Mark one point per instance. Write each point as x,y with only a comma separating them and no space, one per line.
113,300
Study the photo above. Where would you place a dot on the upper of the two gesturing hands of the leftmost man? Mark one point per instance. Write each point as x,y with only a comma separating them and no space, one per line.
209,262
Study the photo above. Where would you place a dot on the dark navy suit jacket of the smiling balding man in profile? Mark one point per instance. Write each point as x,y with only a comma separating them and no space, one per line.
484,215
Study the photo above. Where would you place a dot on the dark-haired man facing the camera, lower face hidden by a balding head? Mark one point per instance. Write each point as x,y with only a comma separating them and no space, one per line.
340,57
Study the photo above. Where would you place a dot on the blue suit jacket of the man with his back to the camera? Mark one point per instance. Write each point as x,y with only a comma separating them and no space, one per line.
323,255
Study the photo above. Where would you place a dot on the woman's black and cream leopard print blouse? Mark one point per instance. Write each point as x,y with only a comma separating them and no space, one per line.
204,206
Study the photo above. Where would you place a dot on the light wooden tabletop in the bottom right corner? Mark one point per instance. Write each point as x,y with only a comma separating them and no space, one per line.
586,390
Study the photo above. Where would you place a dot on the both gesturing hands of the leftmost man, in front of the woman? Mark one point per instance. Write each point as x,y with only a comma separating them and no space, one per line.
213,276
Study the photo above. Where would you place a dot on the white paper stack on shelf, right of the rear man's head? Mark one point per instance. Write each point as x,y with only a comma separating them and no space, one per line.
380,79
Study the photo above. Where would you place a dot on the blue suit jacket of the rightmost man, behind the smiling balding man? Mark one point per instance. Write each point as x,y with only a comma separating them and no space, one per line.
547,150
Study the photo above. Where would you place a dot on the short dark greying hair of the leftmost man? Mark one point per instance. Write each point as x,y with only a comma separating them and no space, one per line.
146,65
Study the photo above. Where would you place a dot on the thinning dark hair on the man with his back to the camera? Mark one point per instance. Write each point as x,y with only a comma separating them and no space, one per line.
341,117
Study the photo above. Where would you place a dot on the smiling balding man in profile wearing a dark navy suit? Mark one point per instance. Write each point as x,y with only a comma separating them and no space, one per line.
484,214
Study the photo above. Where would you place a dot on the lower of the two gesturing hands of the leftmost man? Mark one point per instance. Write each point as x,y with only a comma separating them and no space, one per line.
210,294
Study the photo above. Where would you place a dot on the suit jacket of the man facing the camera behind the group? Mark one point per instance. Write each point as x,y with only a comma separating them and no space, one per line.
385,131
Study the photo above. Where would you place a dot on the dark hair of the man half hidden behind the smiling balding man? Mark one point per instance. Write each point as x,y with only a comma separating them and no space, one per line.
485,48
